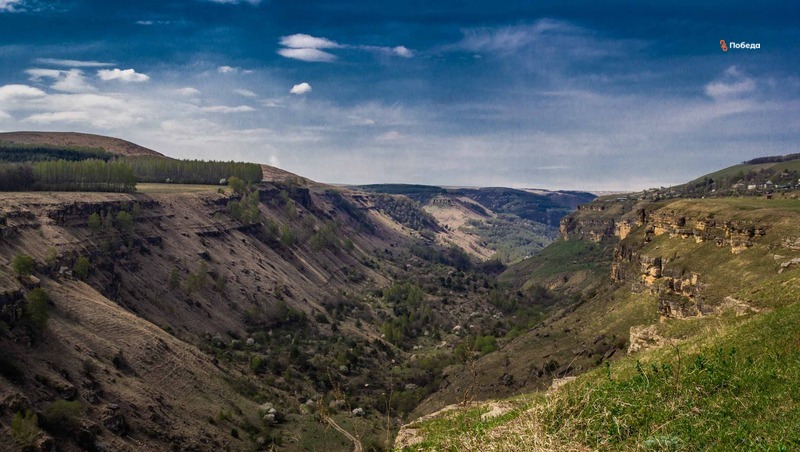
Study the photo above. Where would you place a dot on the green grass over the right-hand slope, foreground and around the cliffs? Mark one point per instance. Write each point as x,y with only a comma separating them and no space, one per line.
726,381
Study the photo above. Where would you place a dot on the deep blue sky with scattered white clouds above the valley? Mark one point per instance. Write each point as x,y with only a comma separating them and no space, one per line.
620,96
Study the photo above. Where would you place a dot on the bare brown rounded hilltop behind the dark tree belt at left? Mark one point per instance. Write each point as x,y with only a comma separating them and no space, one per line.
111,145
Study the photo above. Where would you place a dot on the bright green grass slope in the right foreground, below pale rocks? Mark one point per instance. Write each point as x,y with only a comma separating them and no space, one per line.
729,383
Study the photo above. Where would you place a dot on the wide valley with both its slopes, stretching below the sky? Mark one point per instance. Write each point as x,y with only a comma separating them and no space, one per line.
287,314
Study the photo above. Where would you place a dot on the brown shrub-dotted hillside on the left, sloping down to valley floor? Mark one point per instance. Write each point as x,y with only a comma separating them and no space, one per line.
199,317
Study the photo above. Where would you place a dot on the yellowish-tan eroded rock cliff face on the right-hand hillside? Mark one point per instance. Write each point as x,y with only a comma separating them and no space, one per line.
631,228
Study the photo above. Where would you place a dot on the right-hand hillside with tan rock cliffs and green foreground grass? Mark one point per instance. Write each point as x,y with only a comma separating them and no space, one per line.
678,305
